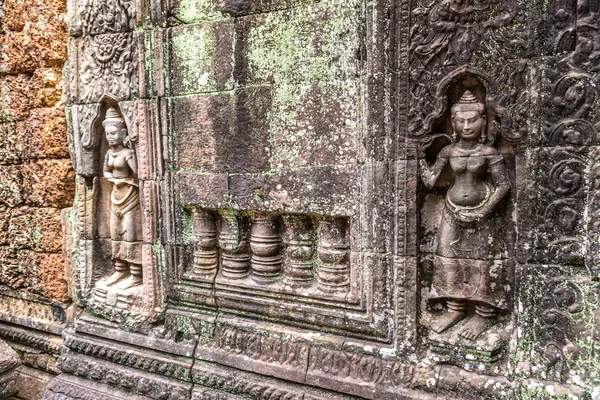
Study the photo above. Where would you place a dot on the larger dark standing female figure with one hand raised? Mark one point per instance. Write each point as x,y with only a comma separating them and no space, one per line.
470,264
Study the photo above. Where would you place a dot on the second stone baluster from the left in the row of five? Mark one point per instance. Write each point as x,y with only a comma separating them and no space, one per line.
235,255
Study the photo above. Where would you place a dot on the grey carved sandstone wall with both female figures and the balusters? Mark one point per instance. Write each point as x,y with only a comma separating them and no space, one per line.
329,199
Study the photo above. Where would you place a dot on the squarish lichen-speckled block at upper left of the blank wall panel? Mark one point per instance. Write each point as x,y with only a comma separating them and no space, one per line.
201,57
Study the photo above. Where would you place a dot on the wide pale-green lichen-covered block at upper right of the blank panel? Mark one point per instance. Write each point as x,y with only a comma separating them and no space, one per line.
315,43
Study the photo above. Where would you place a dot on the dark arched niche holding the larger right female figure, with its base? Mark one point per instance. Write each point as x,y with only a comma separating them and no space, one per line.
467,220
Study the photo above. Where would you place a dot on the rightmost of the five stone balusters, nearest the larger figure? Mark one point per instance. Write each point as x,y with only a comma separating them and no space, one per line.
333,270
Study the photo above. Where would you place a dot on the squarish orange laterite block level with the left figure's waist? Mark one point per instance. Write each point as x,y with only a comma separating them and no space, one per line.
48,183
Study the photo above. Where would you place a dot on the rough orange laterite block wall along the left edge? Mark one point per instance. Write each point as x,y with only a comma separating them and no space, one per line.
36,184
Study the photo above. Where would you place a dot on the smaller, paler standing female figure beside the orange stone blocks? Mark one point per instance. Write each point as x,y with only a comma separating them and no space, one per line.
120,168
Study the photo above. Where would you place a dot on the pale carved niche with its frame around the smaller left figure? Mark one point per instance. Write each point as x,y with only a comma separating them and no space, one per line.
115,274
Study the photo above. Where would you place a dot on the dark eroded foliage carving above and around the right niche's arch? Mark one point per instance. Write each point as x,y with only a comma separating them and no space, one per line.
449,34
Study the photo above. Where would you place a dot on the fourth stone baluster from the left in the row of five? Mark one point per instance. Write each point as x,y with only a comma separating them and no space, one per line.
299,251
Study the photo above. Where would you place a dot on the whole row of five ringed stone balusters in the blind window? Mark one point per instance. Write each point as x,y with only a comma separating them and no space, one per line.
269,247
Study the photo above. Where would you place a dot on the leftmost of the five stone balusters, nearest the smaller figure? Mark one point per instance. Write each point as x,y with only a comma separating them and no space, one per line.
205,244
